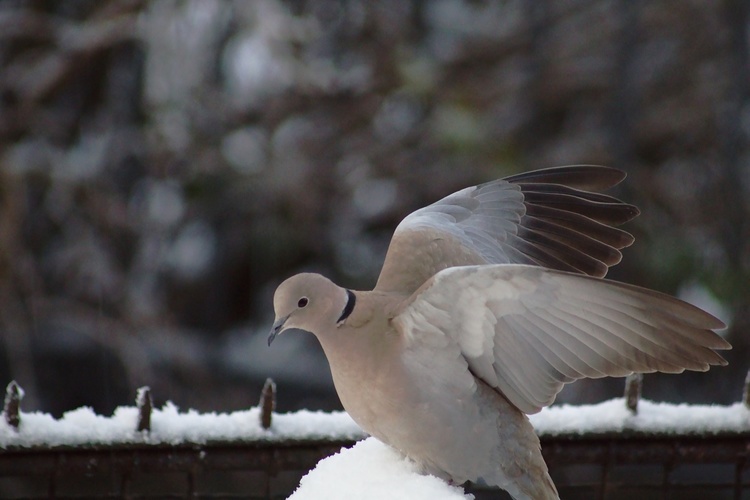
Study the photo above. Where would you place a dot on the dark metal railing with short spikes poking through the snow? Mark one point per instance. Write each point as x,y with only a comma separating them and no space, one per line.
632,464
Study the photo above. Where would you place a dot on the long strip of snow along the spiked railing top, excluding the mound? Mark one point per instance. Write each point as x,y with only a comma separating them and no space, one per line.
169,425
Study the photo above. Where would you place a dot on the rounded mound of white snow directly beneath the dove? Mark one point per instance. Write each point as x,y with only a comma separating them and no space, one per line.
370,470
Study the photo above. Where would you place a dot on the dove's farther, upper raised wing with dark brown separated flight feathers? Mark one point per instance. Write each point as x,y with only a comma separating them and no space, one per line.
550,218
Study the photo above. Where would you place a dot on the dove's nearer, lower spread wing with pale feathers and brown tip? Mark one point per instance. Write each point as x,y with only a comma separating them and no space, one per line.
526,331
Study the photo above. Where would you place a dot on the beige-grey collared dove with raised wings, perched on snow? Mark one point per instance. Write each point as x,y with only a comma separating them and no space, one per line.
489,301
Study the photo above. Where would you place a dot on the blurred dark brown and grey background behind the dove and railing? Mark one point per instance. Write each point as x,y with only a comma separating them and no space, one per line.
165,164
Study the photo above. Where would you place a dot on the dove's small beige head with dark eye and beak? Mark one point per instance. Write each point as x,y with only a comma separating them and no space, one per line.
309,302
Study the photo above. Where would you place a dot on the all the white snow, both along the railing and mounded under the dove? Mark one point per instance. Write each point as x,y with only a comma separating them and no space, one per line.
370,469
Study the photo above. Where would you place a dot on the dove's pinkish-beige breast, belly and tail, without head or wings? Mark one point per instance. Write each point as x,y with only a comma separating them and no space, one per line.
403,407
